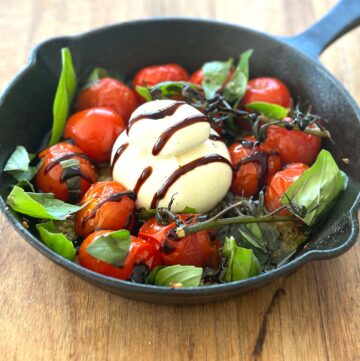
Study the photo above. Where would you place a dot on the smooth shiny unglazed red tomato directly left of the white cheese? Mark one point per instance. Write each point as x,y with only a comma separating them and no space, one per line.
95,130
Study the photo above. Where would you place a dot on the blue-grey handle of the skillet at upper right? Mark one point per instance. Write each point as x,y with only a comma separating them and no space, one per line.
342,18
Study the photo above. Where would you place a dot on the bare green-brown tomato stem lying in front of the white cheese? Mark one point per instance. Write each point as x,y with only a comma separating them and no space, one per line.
185,230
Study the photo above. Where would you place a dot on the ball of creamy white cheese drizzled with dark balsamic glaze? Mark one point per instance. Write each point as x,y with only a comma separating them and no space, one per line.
201,187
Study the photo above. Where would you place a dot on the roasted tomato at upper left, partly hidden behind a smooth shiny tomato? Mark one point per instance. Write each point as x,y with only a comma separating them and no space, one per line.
109,93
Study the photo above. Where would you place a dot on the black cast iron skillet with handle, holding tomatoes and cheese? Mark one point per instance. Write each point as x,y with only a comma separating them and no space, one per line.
26,113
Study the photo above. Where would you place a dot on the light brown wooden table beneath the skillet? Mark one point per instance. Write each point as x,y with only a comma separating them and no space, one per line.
48,314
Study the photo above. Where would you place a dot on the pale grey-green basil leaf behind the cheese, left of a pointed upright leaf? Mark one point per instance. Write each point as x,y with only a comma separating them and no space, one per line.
215,74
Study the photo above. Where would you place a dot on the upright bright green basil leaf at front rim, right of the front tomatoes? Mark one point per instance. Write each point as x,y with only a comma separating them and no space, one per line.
241,262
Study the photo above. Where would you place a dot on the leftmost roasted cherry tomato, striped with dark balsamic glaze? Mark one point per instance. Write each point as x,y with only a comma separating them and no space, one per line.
53,178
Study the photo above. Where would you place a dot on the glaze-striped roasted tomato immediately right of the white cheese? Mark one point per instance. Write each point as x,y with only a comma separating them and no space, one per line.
254,166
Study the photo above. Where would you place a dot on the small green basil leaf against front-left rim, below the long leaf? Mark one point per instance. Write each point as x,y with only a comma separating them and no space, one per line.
56,241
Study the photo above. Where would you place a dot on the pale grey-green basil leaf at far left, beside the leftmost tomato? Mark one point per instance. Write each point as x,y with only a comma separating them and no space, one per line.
18,165
